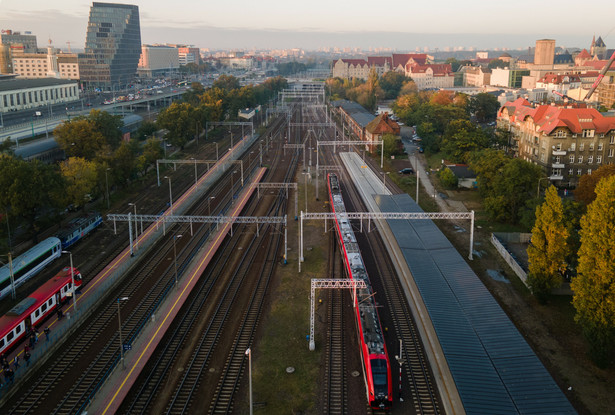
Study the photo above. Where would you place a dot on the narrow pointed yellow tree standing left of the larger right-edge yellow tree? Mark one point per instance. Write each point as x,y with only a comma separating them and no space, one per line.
549,249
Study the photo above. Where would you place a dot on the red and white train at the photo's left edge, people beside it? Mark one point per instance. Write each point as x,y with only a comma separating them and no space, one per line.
34,309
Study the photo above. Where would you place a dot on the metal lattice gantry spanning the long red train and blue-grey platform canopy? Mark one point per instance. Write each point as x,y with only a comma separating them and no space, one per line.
386,216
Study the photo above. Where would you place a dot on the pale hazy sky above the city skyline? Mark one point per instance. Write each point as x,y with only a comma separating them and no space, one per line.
268,24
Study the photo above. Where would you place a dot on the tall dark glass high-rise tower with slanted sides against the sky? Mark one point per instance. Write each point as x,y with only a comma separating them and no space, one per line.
112,46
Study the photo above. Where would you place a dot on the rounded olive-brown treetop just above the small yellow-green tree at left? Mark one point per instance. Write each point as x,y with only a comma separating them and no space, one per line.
80,138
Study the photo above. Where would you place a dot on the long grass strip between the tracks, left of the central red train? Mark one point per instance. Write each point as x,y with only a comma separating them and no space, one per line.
284,343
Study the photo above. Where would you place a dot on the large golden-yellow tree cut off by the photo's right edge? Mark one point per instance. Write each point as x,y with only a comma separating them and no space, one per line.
594,287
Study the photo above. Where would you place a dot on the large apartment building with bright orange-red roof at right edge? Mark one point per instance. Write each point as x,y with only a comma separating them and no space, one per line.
566,142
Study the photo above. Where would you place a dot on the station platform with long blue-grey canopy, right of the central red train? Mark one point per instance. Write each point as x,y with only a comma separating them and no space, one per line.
482,364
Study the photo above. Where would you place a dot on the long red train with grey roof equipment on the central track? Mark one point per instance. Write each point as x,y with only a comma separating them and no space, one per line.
376,366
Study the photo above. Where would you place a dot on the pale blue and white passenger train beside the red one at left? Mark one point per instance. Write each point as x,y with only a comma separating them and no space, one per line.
29,263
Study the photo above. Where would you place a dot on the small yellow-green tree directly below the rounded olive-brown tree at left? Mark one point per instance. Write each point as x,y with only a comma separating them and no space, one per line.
81,178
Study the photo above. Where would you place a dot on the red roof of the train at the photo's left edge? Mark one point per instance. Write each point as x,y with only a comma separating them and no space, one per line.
28,304
